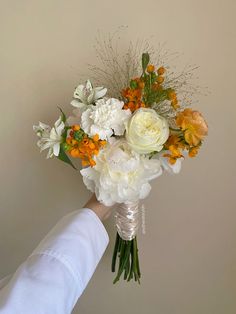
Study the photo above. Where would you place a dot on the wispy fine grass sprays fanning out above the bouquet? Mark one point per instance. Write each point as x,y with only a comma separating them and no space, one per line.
119,61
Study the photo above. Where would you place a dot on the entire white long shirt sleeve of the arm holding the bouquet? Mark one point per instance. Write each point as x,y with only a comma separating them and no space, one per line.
54,276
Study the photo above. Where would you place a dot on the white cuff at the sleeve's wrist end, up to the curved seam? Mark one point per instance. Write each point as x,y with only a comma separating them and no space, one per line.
78,240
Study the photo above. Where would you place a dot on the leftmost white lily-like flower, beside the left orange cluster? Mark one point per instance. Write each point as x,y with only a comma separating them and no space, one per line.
50,138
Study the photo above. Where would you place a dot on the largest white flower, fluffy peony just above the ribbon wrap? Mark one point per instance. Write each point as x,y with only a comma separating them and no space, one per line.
120,174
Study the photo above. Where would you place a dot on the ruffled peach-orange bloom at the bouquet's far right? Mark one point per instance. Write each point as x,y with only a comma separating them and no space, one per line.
194,126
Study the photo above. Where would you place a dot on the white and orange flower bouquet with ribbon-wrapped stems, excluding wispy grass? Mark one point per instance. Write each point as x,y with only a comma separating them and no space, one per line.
124,143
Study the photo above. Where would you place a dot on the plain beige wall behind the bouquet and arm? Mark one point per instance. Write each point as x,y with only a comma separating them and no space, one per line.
188,254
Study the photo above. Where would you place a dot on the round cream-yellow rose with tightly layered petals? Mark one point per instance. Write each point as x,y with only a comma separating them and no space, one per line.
147,131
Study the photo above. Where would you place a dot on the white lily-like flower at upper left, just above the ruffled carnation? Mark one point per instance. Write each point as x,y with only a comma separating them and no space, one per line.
87,95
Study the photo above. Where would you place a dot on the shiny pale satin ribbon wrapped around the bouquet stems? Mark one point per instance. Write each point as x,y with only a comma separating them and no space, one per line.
127,220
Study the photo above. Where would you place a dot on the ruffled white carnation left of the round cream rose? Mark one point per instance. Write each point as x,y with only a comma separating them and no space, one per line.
105,119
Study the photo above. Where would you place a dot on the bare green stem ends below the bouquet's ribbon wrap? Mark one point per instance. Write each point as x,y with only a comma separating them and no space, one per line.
126,251
